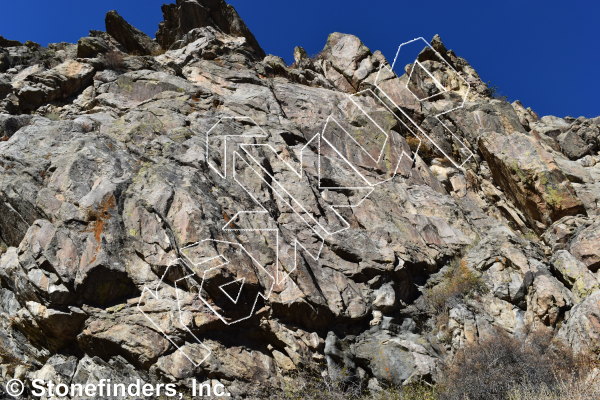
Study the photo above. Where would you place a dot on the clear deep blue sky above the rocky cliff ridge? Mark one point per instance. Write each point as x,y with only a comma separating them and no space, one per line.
545,53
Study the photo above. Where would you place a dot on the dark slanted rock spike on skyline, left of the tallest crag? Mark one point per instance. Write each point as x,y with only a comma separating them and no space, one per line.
133,40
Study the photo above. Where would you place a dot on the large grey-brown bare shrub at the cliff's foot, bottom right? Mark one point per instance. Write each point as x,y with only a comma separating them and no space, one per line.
493,368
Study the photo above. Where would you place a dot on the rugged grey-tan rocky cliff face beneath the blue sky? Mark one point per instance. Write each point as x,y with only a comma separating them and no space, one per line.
188,207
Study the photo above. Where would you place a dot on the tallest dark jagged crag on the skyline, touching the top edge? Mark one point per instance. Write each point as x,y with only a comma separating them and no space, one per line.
185,15
